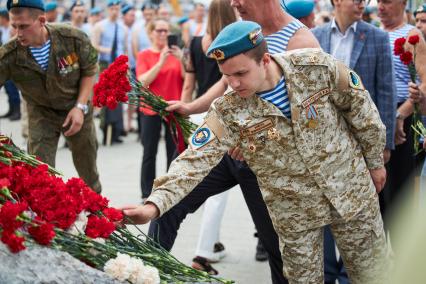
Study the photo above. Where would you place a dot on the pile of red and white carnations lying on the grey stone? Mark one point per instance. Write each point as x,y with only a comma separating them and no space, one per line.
38,207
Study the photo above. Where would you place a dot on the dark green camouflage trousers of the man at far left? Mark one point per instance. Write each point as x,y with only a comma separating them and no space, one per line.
45,128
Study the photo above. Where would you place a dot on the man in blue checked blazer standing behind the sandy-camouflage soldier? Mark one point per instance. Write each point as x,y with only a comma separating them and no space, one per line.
366,50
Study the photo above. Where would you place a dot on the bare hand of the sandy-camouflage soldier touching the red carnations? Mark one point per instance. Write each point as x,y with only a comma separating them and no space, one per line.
140,214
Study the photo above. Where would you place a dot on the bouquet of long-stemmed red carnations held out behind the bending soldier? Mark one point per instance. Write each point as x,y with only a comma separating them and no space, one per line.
118,85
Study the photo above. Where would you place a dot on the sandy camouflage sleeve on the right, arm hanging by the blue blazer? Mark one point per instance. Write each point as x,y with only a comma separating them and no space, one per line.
362,116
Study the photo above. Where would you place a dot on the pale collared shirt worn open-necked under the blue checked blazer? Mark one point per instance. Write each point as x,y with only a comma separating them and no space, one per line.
341,45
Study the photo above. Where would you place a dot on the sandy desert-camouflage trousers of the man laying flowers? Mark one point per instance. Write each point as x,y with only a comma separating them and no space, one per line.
361,242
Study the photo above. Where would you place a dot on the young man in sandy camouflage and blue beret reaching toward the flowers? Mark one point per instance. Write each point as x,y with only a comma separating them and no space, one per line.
319,166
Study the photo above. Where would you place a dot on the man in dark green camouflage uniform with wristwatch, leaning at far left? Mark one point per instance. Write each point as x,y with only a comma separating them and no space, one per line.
57,97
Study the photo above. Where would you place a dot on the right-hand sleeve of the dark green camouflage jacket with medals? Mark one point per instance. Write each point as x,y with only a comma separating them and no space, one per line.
88,57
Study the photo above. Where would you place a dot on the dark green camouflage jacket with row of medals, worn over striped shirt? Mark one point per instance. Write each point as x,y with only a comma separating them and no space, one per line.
71,57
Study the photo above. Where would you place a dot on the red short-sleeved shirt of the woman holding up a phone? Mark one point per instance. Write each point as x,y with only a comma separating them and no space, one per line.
169,81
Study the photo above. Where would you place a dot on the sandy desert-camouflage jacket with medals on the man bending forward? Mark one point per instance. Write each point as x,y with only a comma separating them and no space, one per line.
303,165
